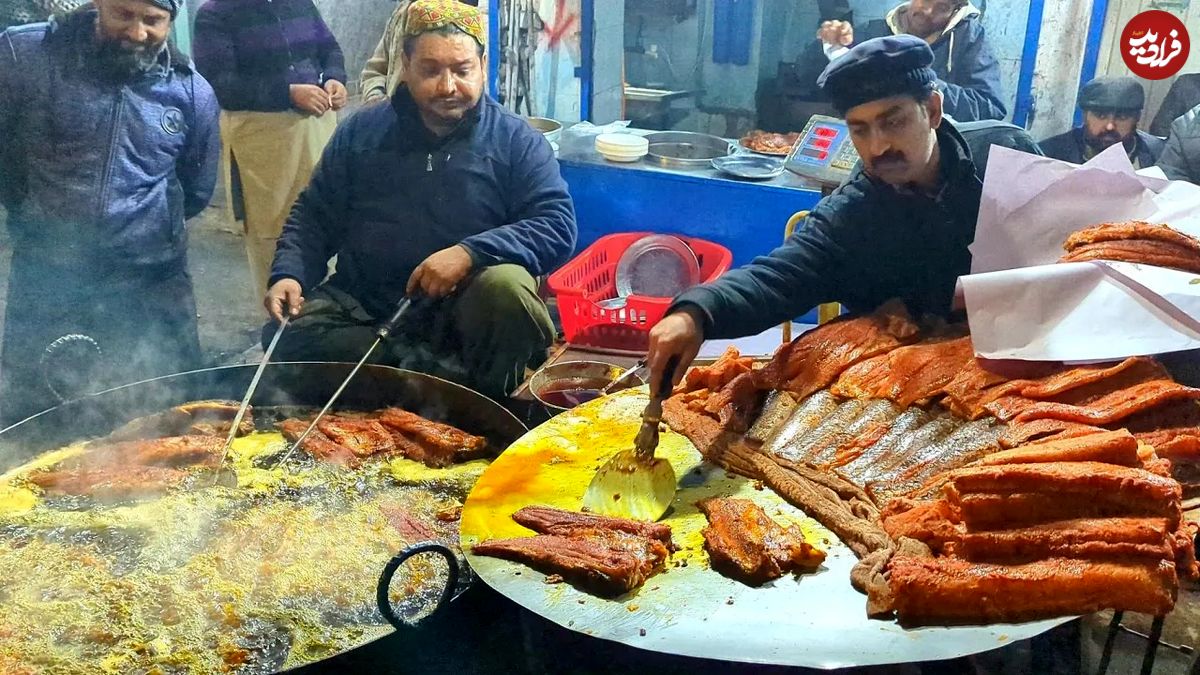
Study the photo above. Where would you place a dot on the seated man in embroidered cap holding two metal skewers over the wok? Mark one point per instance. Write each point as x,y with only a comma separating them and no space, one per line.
439,194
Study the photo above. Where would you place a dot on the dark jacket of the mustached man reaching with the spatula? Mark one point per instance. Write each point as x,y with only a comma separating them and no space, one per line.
862,246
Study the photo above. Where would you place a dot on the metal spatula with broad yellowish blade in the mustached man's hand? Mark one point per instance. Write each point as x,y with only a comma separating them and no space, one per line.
635,483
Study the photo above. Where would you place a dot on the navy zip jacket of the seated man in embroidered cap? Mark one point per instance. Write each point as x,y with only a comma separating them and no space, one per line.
388,194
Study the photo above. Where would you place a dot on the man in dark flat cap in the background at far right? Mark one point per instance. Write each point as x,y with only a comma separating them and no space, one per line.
1112,107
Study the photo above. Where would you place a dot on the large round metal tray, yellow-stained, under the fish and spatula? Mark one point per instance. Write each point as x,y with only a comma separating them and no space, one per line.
814,620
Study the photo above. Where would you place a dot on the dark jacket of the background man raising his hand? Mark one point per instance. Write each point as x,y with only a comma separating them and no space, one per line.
968,70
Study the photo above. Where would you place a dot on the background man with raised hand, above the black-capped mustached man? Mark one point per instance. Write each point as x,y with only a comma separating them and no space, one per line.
968,71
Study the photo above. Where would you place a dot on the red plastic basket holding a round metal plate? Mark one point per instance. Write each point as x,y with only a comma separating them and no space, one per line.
591,278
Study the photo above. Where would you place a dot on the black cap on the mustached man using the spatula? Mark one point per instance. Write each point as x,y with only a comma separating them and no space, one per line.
878,69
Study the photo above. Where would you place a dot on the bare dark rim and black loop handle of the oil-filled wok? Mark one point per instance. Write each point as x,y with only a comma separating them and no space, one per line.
308,385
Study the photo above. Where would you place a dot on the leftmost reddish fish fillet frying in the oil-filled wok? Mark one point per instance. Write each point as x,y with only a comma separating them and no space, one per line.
110,483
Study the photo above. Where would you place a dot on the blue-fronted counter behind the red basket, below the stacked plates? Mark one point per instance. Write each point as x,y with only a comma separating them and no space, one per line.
746,217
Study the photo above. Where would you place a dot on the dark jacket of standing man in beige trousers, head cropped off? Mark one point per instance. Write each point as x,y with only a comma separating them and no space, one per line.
253,51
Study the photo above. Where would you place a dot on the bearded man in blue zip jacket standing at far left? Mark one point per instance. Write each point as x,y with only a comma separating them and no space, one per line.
110,142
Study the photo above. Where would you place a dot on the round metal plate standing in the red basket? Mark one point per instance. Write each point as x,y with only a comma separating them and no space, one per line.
658,266
